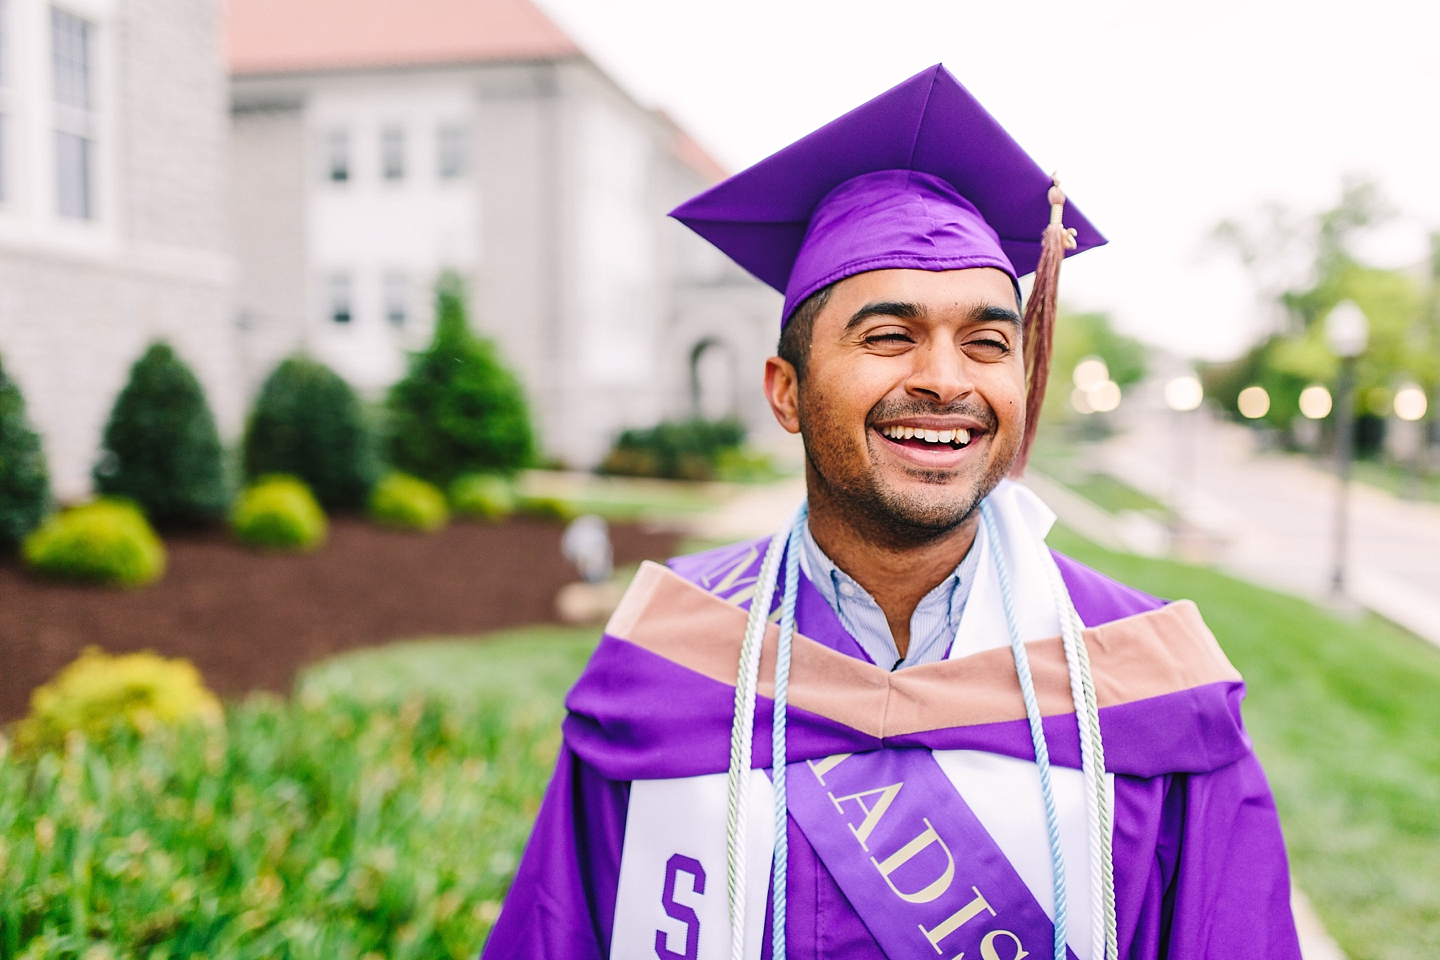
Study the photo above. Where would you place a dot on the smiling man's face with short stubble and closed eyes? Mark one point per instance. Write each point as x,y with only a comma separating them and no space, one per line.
914,399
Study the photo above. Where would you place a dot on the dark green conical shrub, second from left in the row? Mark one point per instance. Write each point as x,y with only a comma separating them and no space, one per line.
162,448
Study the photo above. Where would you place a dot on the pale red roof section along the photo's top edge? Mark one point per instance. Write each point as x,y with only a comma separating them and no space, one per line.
286,37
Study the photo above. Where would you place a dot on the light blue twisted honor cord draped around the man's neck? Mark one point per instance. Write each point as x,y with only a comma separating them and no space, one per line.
778,743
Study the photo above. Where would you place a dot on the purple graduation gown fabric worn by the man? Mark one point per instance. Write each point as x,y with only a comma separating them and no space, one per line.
1199,857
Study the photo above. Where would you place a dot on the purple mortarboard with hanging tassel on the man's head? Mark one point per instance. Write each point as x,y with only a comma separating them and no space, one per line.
919,178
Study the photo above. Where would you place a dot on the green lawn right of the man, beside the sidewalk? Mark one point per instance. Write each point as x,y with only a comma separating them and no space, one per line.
1346,716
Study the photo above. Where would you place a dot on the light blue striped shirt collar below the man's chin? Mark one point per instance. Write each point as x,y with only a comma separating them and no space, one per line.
932,627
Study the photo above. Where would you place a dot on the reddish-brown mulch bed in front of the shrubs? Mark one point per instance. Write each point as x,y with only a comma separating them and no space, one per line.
253,621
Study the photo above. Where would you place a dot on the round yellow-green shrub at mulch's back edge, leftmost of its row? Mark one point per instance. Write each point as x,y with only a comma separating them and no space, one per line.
104,542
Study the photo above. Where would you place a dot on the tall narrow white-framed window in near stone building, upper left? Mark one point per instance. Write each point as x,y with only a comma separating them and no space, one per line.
73,42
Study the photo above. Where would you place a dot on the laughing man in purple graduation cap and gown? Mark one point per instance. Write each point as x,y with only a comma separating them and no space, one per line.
967,776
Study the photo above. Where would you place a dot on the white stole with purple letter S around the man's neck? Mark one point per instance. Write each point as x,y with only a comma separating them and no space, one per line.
688,815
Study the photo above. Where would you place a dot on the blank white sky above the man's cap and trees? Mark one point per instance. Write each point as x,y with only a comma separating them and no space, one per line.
1161,119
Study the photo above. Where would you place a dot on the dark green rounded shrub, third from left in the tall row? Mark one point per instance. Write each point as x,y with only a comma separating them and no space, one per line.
307,422
